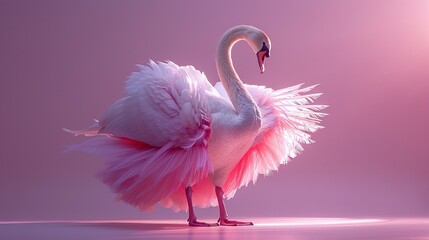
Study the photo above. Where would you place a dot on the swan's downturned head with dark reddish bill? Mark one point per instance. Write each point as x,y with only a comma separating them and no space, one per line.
261,44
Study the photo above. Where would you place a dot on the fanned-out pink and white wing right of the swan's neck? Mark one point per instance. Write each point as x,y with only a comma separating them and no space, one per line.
288,118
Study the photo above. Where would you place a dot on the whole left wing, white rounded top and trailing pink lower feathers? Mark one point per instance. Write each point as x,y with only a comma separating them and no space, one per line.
155,138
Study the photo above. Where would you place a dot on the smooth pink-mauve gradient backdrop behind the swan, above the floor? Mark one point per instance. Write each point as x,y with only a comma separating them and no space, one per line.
62,63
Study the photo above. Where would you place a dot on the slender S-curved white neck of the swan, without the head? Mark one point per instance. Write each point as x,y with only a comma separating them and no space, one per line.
239,96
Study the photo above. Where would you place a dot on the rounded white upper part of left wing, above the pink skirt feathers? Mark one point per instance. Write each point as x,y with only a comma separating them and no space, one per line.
164,104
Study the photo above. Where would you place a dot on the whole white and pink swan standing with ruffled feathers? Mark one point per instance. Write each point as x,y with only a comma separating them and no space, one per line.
177,140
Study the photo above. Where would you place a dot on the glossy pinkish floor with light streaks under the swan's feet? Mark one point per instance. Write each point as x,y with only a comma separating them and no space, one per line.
264,228
